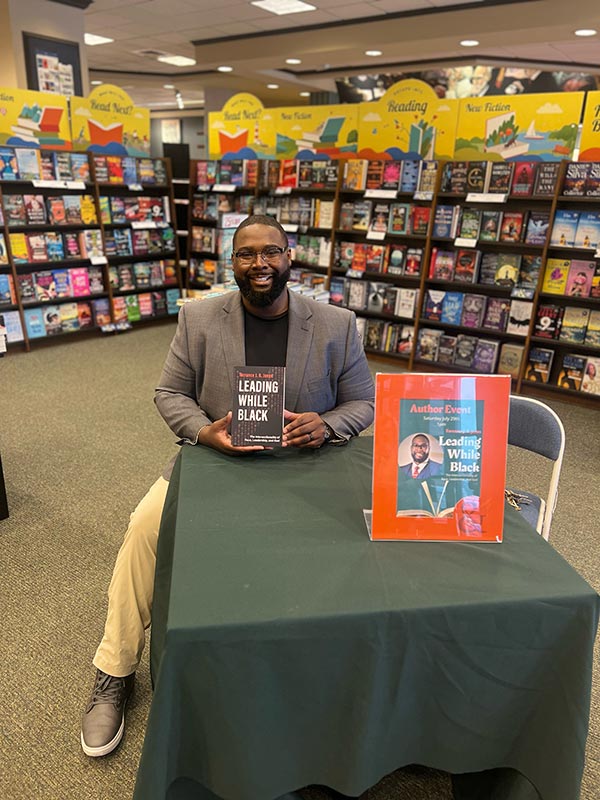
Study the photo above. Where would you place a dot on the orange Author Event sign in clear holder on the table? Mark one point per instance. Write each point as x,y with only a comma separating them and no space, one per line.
439,461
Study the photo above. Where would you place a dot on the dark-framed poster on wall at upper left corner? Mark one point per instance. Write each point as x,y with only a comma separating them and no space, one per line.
52,65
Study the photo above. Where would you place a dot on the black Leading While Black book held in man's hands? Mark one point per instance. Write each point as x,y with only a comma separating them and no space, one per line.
257,406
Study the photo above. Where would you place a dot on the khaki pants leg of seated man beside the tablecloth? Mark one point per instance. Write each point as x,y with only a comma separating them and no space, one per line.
131,588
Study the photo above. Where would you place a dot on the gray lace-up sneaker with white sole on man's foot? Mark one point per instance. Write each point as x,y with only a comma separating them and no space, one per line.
103,720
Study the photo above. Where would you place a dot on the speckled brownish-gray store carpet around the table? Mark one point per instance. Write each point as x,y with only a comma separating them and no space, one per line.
81,442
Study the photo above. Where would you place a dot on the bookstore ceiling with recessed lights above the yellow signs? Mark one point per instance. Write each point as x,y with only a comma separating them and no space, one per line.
330,41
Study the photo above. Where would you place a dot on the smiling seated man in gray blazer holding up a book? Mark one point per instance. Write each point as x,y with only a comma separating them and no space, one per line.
329,398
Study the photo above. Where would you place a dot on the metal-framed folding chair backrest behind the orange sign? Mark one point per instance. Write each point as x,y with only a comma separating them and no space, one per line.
534,426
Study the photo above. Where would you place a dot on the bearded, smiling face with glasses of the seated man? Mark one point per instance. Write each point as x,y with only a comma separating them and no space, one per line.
261,280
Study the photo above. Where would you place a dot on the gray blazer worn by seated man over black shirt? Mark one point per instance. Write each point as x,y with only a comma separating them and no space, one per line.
327,371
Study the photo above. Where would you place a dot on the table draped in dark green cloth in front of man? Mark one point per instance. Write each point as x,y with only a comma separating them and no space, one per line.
288,649
